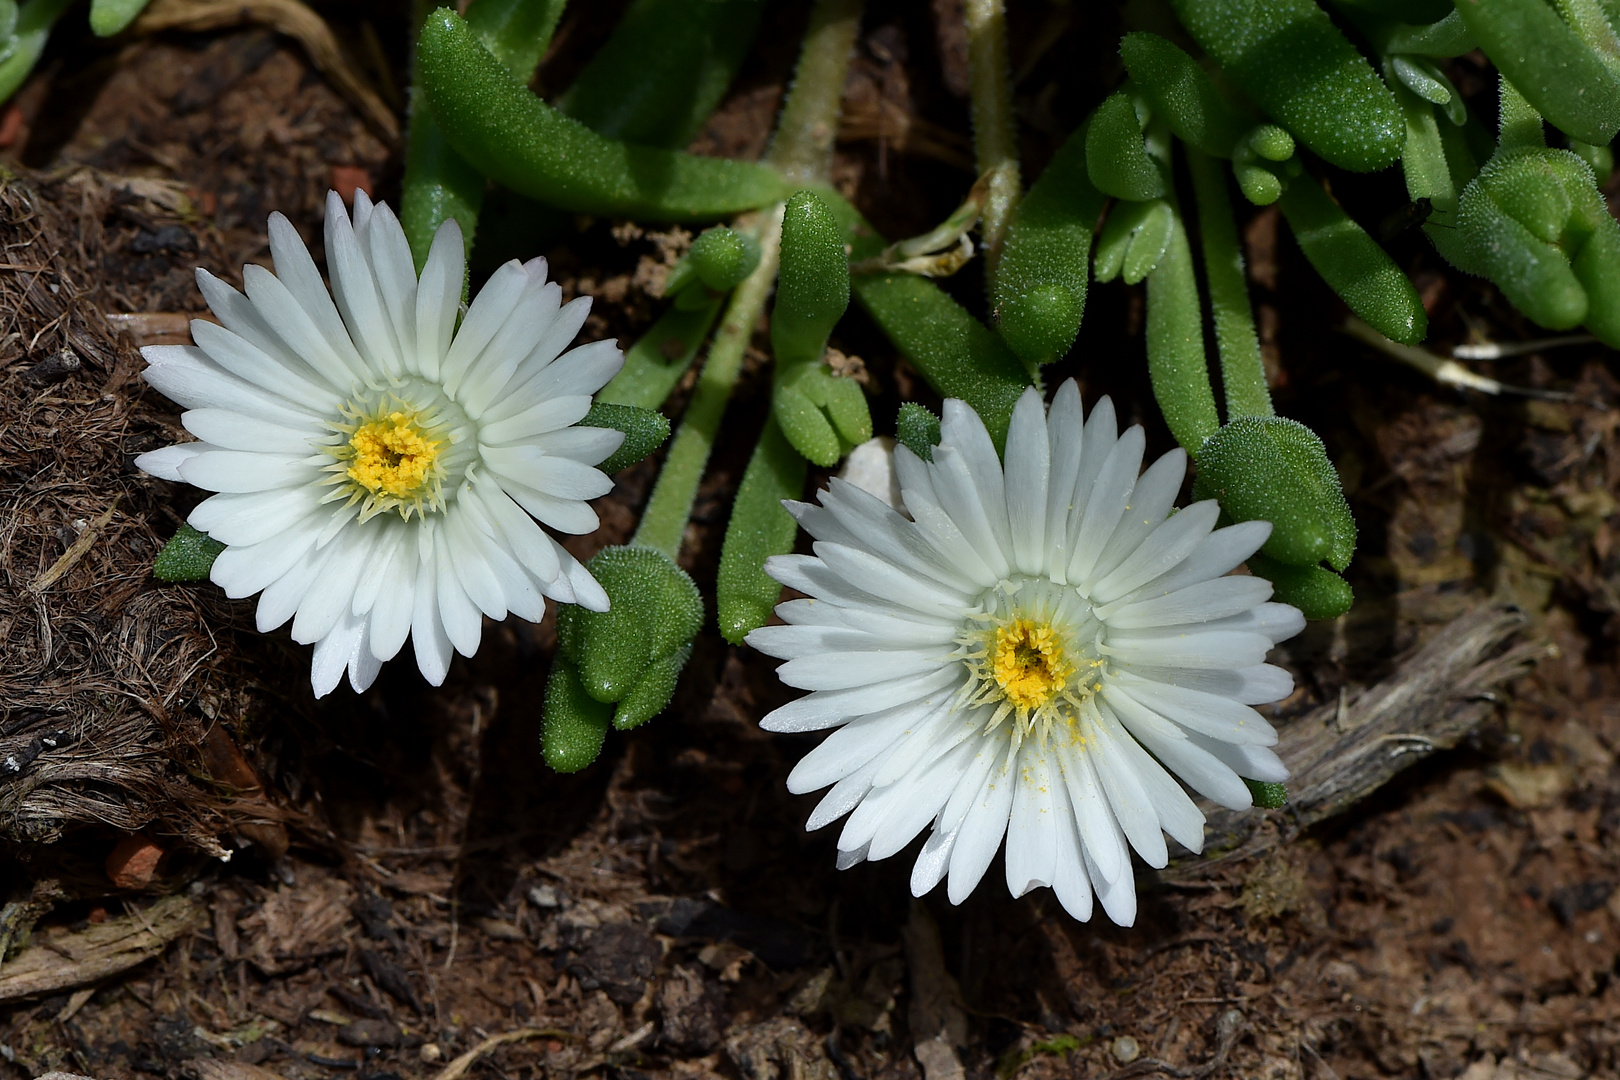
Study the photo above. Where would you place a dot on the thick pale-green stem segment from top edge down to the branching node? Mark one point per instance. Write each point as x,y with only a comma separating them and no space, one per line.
803,148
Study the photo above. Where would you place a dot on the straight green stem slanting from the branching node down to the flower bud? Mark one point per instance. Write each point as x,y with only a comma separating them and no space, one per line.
665,521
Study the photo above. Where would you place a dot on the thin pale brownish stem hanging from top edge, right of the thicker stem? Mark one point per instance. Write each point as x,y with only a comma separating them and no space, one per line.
995,142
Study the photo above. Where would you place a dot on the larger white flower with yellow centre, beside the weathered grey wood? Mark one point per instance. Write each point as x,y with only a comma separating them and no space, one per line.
1026,657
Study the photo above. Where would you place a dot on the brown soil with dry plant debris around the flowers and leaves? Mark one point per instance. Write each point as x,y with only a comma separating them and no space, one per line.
665,914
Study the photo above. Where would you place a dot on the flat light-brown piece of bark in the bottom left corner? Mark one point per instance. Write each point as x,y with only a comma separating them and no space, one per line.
100,951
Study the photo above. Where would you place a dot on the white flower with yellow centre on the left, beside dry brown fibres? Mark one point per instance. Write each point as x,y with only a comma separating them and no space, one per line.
380,466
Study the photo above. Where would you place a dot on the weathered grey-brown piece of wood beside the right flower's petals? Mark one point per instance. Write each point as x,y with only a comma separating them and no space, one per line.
1342,754
